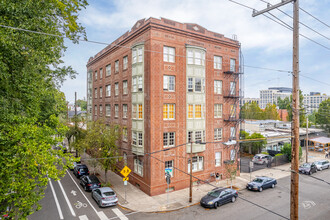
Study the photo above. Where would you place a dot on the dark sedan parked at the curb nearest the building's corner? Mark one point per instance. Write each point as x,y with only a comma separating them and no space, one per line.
218,196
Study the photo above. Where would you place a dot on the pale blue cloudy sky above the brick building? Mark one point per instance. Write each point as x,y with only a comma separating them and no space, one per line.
265,44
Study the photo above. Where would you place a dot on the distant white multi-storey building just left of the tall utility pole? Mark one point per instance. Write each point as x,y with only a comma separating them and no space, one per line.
271,95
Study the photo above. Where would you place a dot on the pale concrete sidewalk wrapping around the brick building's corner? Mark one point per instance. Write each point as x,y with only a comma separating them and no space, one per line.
136,200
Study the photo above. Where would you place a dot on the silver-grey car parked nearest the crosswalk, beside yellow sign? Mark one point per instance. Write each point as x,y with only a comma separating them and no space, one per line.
105,196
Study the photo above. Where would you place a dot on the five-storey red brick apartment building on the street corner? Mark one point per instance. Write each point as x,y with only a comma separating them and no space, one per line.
167,84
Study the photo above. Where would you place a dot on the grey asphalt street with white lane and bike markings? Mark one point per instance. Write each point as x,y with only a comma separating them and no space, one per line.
314,202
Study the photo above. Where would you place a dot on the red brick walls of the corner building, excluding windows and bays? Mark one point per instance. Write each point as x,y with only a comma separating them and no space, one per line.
155,34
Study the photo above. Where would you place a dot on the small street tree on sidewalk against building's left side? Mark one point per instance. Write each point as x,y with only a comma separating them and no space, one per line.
100,141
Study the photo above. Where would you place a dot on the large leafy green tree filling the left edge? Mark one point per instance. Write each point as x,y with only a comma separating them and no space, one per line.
30,77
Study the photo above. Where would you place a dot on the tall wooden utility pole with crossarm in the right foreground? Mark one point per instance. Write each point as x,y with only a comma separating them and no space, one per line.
295,104
